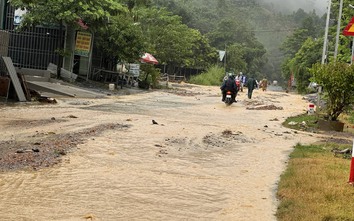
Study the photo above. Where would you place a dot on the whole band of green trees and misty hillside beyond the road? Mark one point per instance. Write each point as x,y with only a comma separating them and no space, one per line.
258,39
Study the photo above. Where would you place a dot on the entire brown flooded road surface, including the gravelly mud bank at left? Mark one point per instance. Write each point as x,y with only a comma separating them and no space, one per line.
201,160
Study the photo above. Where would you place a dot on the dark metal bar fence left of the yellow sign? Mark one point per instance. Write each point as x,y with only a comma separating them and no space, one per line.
34,47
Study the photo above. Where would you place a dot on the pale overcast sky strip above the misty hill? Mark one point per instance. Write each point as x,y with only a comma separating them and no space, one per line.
292,5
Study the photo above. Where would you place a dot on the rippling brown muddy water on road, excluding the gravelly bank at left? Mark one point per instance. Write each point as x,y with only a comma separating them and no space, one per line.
184,168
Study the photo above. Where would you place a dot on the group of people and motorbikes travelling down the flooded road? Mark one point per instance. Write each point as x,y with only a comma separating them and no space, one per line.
234,84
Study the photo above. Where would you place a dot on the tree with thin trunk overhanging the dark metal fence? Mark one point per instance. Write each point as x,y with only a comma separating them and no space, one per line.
68,13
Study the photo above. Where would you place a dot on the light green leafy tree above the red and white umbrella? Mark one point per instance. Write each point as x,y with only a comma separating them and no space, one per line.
173,42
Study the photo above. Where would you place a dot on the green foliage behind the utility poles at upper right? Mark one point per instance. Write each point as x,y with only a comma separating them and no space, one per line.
304,47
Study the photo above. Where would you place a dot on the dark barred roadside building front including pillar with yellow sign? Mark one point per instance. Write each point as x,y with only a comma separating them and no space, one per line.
37,47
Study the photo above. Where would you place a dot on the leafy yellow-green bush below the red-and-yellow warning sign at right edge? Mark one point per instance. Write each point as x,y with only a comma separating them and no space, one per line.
337,80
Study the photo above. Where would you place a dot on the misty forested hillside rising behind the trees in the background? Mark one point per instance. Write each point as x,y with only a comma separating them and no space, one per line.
261,18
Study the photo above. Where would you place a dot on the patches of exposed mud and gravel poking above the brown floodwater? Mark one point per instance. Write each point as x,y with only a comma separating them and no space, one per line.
45,149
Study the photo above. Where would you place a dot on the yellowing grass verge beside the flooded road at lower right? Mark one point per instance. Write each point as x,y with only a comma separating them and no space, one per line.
314,185
